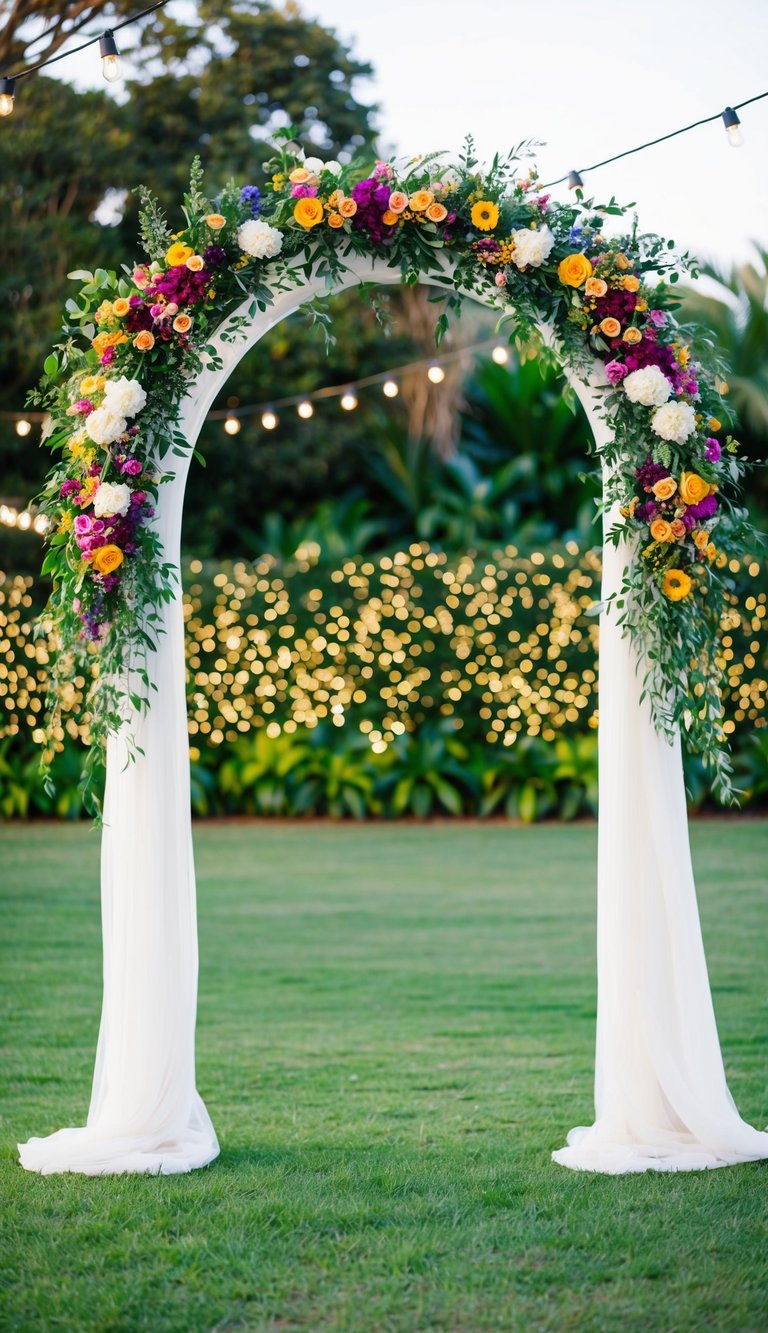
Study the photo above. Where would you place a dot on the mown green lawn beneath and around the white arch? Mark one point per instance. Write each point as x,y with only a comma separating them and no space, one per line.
395,1030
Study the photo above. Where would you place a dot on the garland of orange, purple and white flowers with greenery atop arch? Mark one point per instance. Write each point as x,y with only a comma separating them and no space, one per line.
135,341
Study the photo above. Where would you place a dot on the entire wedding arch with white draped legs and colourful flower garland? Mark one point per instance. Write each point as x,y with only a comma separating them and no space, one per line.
129,393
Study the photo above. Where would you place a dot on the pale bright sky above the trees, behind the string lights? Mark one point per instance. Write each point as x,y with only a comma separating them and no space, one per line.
589,79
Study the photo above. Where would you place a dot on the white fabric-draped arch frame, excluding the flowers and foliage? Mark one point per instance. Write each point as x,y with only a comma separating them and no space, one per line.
661,1095
